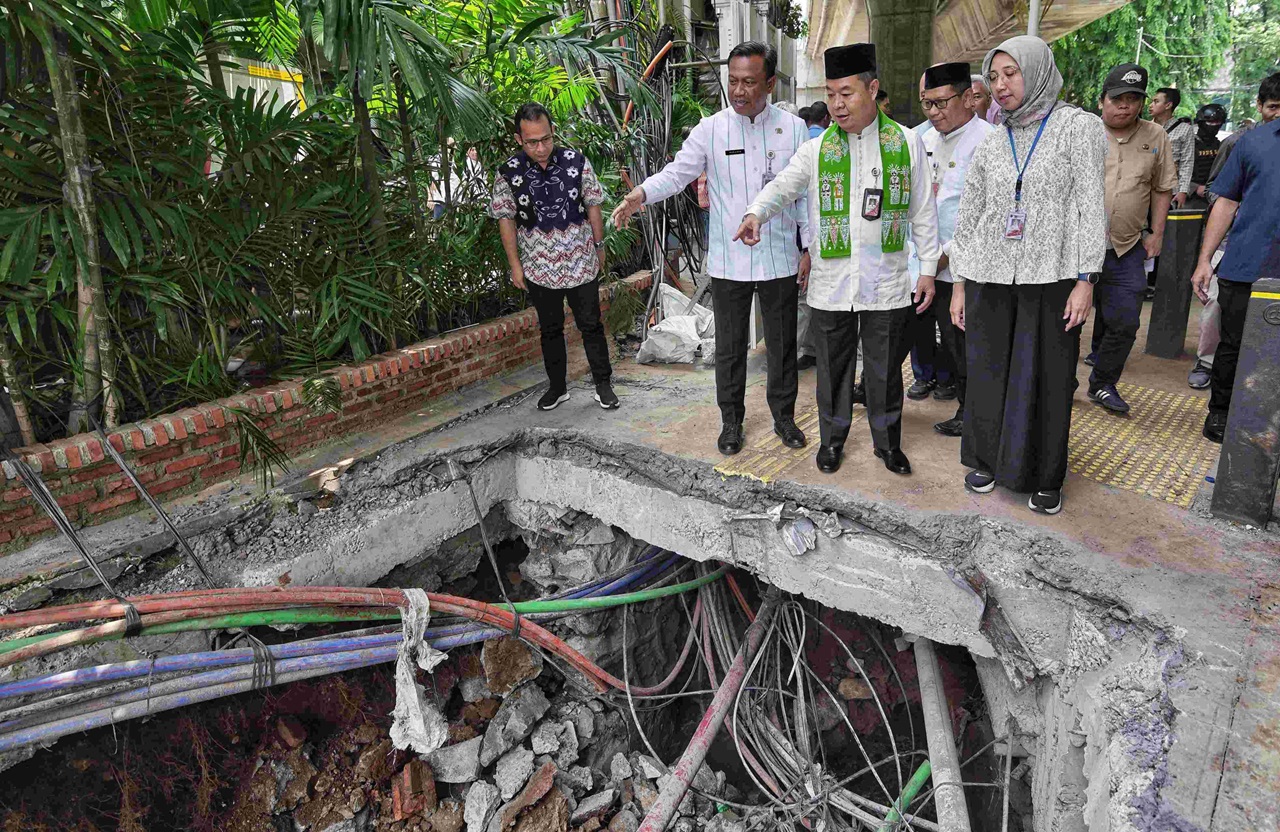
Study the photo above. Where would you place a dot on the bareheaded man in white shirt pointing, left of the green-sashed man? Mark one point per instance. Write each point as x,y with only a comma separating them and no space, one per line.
742,149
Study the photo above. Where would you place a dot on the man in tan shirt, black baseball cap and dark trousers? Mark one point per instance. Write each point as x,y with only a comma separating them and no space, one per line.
1140,181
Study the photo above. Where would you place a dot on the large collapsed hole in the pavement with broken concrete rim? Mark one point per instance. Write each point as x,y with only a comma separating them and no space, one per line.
876,669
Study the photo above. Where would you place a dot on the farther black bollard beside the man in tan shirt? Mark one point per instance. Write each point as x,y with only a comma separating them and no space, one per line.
1169,312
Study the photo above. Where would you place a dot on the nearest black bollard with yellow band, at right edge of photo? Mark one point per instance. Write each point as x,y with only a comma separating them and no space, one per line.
1247,473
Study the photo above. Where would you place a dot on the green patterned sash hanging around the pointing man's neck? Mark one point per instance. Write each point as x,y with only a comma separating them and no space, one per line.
835,189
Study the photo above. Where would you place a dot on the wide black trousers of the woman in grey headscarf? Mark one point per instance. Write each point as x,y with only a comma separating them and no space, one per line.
1018,422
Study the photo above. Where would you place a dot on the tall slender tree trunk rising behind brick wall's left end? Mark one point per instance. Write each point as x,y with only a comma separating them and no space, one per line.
79,191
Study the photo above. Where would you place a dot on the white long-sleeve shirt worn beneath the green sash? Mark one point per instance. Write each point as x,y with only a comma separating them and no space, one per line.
871,280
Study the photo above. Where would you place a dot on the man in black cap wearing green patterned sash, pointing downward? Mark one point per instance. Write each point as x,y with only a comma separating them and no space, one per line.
868,182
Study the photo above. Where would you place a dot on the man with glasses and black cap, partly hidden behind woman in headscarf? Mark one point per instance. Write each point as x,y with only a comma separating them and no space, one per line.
948,100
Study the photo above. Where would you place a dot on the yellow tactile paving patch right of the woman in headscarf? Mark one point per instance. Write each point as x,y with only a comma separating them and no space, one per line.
1158,450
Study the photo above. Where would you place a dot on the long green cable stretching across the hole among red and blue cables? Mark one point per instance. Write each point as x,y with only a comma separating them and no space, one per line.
392,614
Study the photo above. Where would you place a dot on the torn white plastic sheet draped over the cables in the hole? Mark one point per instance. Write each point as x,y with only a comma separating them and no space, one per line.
417,724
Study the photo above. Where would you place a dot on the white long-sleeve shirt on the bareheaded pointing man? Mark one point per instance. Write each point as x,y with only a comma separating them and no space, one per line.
738,154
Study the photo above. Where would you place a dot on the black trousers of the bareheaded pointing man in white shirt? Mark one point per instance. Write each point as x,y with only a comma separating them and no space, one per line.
732,301
